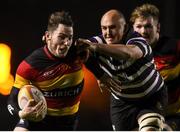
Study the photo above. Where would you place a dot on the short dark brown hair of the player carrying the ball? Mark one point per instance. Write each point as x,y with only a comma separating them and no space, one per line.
59,17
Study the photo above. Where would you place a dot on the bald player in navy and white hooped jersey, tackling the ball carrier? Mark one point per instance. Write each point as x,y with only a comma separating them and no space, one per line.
124,65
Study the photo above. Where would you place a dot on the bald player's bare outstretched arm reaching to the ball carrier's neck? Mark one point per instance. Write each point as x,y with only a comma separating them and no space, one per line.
118,51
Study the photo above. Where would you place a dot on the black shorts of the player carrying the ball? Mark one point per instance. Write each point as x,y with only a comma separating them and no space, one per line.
51,123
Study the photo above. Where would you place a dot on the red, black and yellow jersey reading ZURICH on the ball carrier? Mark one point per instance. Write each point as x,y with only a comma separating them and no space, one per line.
60,79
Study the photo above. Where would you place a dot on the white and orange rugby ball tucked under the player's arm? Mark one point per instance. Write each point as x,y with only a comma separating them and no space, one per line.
28,92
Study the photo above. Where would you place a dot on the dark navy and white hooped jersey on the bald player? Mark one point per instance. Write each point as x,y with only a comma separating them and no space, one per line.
139,78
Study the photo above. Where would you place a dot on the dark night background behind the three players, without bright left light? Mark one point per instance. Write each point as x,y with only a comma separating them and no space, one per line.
23,22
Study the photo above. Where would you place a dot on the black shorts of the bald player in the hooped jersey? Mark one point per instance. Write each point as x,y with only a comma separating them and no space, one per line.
124,114
